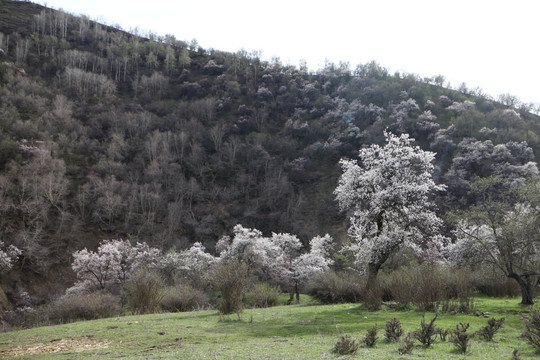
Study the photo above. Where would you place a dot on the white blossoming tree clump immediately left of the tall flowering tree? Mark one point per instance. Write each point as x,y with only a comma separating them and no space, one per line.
276,259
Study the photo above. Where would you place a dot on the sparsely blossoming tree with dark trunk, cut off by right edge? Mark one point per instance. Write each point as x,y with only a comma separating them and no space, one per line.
503,232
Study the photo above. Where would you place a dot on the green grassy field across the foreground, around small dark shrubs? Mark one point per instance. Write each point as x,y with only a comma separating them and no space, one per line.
305,331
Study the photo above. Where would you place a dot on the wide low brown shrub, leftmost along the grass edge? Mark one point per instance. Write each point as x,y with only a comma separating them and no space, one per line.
84,307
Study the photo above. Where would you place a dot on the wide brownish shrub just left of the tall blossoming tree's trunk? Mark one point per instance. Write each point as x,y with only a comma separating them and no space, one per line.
332,287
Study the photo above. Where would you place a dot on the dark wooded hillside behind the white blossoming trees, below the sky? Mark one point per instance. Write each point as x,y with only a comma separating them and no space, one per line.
106,134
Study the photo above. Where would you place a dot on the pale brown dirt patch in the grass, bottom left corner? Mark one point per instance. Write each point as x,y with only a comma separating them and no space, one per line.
54,346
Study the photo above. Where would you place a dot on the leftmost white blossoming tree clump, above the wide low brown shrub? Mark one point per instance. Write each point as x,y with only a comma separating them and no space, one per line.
111,265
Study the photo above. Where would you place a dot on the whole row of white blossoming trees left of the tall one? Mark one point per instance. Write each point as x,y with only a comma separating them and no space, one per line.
277,259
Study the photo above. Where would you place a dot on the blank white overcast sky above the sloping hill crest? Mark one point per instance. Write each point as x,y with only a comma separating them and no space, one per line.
491,44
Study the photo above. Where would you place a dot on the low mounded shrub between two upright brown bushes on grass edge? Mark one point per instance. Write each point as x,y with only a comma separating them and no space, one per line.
184,298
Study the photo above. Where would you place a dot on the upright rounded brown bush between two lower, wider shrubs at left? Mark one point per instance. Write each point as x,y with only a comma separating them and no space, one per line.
145,291
